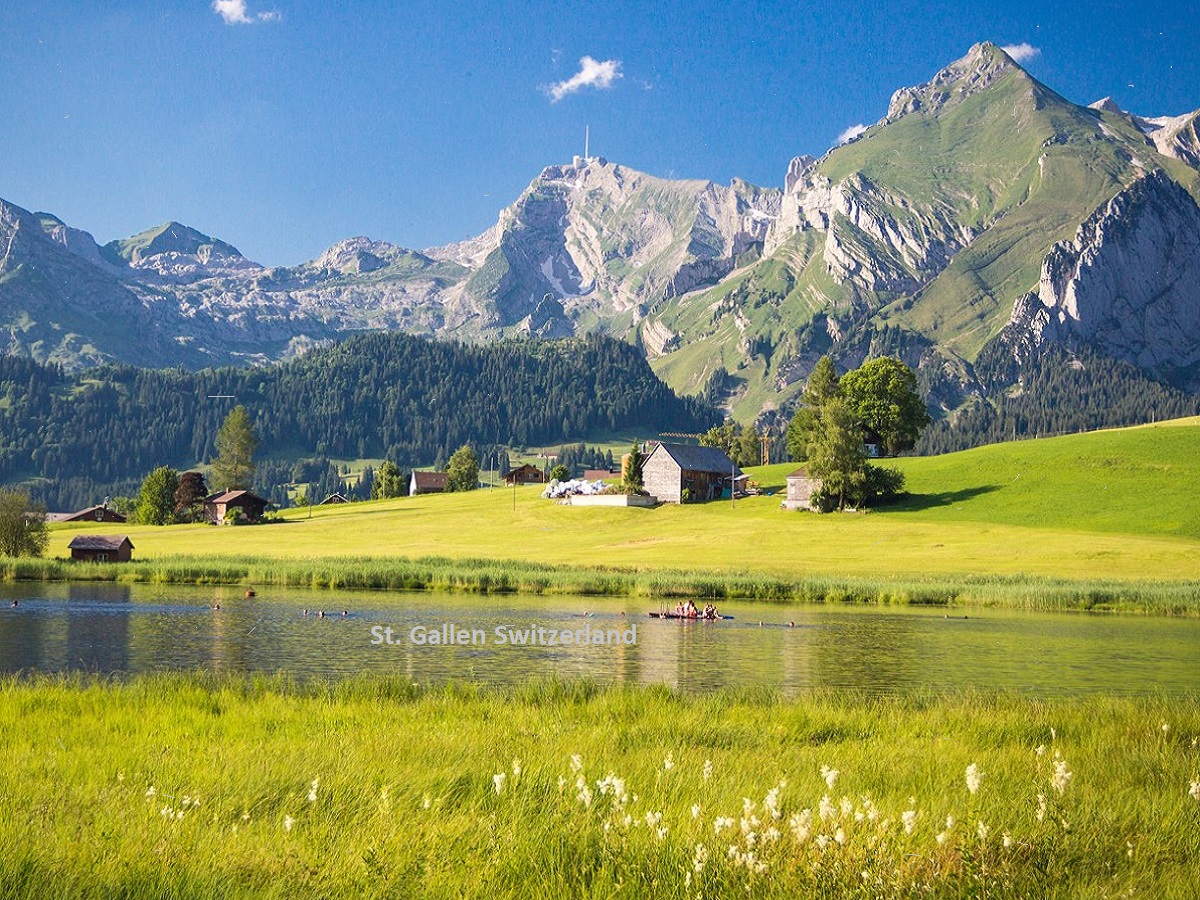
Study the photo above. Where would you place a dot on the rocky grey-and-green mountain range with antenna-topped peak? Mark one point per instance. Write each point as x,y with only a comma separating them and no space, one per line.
983,218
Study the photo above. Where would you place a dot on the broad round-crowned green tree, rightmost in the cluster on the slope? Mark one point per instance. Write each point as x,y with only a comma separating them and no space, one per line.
883,393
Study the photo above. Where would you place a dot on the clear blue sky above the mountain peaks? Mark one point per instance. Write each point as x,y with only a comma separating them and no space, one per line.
283,127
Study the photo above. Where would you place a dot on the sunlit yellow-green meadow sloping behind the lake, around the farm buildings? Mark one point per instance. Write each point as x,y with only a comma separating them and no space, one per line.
1094,511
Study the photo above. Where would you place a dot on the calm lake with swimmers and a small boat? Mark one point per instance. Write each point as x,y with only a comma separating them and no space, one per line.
134,629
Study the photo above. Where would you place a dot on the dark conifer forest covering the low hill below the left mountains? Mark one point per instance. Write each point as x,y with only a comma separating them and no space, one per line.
75,440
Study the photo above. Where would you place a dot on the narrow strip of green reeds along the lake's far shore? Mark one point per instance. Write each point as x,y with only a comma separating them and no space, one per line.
493,577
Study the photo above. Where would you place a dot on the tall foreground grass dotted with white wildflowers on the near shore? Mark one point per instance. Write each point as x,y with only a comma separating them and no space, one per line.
189,788
